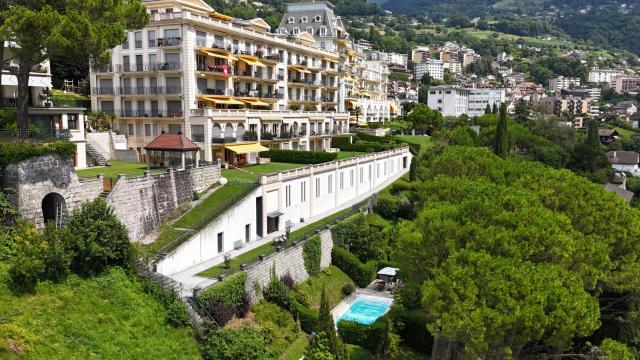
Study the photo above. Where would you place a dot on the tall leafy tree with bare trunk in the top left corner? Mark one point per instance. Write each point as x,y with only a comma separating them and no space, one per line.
84,29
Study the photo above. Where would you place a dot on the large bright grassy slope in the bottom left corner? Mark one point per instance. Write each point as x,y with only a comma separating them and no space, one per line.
107,317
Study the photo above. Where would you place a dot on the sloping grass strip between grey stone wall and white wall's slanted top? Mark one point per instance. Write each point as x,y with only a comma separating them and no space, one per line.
199,216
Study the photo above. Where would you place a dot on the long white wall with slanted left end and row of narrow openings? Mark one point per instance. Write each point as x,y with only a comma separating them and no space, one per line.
296,197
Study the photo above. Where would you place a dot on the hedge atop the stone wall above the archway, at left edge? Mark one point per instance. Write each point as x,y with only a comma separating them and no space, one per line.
13,153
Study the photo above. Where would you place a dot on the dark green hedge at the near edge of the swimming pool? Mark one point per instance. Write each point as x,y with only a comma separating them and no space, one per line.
373,337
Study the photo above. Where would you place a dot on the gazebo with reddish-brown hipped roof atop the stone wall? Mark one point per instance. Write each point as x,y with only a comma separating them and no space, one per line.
172,149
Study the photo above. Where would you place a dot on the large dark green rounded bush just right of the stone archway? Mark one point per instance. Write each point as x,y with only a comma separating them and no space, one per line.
101,239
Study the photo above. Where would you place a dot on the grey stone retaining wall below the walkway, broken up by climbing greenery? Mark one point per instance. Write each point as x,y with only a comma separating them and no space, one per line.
288,261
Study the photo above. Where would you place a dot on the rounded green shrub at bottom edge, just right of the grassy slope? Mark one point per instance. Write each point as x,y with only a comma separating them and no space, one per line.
244,343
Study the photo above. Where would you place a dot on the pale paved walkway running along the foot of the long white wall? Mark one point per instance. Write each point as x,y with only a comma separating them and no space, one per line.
189,279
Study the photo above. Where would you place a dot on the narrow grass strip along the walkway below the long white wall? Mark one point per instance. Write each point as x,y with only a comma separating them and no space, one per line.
252,256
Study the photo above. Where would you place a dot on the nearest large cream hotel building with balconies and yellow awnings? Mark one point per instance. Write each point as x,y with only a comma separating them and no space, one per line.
229,85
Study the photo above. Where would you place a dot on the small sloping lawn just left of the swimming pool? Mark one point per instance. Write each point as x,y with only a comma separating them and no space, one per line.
332,280
